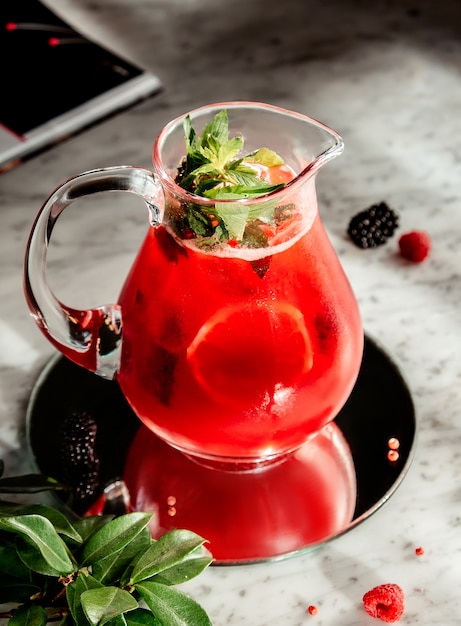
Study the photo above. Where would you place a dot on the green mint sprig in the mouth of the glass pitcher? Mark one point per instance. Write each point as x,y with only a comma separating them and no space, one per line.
212,169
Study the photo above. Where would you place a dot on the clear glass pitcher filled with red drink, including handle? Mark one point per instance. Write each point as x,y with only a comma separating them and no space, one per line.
236,337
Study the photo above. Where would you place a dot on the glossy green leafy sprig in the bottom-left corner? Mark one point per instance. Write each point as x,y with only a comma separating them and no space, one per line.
97,571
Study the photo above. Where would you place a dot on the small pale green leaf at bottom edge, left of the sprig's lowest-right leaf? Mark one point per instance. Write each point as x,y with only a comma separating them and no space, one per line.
103,604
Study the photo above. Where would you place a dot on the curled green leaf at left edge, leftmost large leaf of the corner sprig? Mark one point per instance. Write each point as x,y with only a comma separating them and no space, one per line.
42,549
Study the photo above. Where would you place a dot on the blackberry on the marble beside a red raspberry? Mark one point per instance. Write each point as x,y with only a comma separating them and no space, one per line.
373,226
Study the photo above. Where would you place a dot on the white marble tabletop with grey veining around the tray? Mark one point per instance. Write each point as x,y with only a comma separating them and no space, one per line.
387,77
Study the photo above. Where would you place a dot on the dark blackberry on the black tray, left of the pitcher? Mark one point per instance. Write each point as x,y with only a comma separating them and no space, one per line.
79,459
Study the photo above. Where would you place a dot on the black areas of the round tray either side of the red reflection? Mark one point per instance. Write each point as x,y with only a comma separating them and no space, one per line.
379,408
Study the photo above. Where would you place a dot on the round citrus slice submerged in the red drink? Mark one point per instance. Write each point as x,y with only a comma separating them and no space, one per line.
242,354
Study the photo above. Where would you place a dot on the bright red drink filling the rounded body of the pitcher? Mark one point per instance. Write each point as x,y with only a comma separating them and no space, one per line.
225,357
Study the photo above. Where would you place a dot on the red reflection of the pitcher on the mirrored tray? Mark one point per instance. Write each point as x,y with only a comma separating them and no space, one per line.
246,516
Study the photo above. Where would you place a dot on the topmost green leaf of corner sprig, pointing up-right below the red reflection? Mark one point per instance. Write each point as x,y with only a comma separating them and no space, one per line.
114,536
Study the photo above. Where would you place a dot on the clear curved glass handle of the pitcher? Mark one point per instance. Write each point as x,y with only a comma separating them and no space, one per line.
91,338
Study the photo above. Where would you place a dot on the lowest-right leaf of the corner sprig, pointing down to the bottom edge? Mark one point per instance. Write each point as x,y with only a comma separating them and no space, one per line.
171,606
